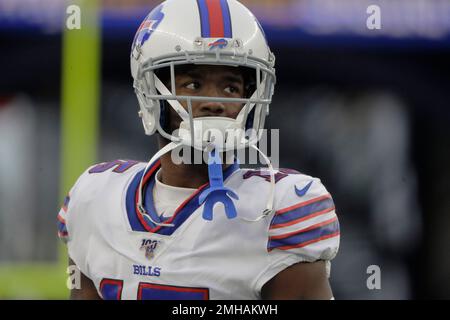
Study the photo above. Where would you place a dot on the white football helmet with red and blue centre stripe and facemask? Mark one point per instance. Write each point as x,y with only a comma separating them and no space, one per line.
214,32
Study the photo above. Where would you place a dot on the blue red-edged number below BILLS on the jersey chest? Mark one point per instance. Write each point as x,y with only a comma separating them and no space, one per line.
111,289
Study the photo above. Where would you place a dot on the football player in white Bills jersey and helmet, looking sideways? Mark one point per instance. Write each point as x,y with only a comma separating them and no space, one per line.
179,230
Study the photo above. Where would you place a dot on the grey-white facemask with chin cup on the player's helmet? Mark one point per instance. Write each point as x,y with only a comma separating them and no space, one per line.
204,132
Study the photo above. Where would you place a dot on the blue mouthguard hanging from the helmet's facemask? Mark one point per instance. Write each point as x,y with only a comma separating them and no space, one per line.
216,191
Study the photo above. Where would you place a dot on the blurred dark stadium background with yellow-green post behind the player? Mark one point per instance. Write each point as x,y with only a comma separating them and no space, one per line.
365,110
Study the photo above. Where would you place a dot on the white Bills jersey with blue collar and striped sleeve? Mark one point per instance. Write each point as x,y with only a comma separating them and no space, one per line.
127,256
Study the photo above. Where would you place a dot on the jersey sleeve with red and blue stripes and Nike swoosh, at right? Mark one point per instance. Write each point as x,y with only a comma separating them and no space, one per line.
304,222
